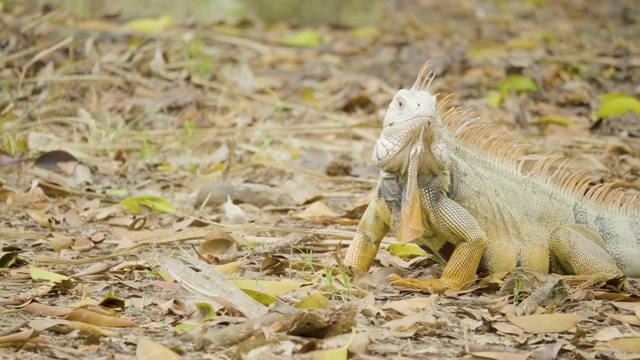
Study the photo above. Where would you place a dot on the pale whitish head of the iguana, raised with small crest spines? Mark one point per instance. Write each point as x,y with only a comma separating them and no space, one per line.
411,125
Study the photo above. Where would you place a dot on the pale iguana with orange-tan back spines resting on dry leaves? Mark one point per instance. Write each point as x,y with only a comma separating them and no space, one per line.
455,186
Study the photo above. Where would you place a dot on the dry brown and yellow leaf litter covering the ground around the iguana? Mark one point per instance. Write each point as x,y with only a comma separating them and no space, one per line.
172,189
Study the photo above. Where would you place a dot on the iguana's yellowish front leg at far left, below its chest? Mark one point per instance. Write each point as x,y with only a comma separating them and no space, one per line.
373,226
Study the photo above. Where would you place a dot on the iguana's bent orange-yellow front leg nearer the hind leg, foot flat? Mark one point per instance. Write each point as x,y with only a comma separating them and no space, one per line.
450,220
